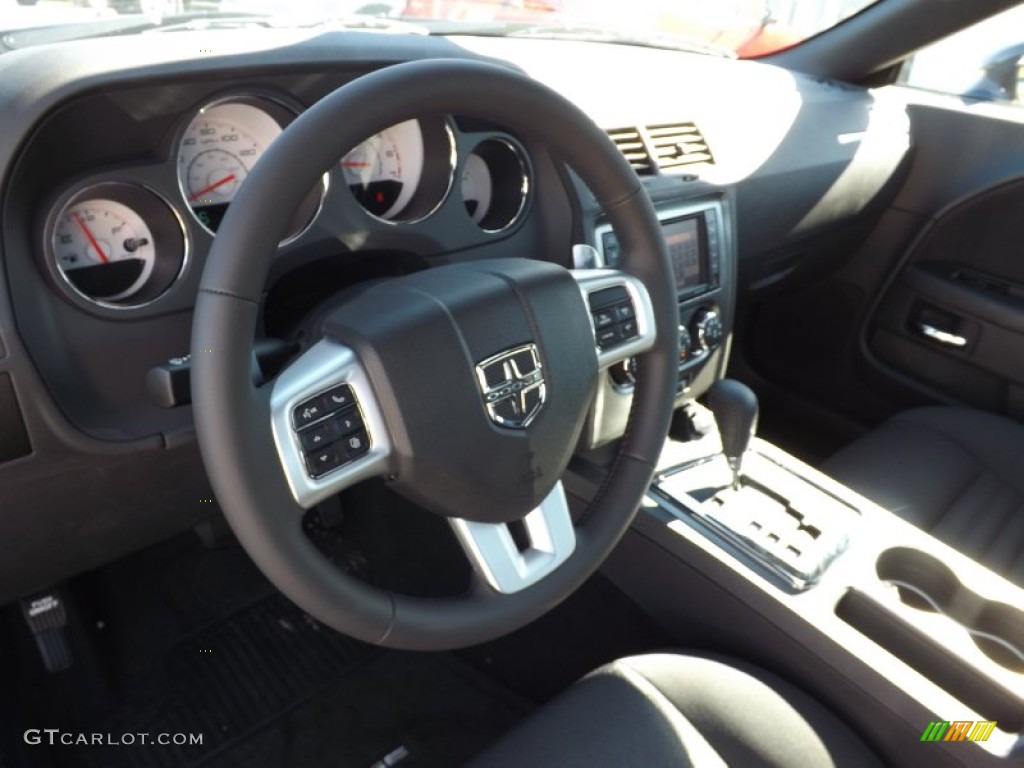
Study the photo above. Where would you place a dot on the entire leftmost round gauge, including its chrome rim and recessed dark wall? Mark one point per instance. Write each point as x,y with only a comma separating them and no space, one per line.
115,245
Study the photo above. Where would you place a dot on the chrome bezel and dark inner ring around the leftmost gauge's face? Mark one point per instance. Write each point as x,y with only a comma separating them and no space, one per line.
174,247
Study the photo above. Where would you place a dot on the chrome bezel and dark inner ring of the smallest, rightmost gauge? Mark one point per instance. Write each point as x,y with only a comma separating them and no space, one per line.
511,182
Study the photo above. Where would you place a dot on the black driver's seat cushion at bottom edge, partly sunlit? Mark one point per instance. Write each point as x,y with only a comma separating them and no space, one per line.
672,710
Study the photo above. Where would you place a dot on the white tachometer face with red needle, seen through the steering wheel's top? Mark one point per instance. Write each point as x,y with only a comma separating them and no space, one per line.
385,172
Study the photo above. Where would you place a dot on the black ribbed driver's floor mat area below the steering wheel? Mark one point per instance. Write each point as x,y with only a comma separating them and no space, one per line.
224,682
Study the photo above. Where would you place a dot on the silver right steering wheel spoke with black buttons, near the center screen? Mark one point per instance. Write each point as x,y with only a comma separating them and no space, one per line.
621,314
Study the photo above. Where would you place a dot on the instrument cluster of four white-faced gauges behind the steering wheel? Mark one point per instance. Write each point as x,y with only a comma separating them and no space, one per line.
117,243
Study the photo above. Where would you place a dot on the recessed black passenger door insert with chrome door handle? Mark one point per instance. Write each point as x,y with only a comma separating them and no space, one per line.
954,317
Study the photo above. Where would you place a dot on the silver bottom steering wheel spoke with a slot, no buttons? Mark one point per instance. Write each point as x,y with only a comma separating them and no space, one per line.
510,558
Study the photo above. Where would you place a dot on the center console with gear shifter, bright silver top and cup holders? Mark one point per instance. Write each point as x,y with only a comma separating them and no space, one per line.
747,550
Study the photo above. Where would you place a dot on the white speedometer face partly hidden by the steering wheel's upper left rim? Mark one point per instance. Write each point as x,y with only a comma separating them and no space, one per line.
220,148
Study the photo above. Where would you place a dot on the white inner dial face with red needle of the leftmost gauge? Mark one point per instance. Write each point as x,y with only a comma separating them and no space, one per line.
105,249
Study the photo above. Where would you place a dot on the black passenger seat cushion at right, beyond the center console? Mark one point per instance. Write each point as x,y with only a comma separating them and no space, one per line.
955,473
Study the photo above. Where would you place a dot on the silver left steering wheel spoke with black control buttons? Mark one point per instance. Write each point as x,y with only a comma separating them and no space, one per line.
328,428
